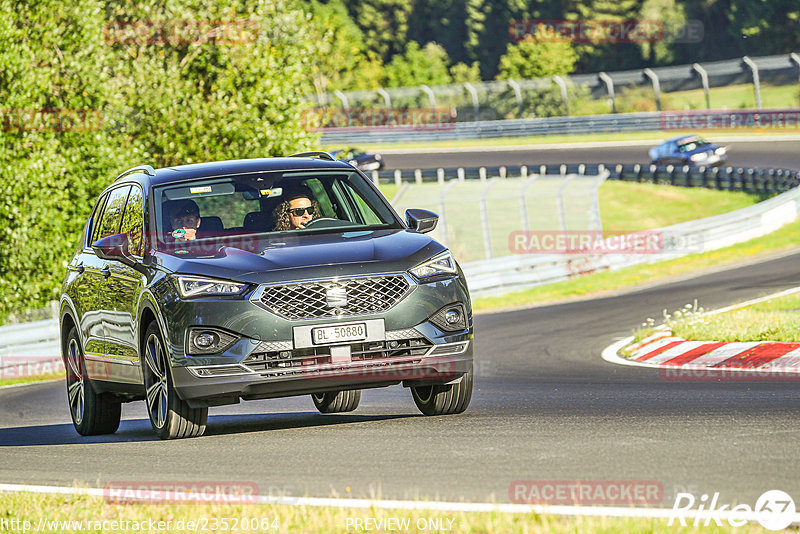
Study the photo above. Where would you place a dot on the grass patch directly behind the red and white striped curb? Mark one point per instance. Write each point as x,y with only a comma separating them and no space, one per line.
772,320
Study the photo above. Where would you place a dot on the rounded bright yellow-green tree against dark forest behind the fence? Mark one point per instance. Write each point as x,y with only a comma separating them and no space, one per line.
532,58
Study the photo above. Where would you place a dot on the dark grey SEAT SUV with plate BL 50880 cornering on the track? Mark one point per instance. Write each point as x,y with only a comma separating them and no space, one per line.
201,285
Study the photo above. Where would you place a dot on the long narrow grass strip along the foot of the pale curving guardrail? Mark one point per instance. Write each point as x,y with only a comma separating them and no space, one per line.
784,239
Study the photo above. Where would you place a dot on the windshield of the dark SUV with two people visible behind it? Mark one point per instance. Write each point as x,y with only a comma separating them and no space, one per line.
267,203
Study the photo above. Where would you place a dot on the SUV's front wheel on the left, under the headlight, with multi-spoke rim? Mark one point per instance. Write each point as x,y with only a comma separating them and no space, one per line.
171,417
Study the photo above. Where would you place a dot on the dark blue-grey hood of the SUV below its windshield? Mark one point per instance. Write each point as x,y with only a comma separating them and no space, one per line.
288,257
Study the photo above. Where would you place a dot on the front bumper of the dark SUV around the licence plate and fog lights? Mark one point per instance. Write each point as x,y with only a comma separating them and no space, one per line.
274,357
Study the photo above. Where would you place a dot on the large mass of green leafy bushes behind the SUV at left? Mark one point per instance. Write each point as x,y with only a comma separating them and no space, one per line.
151,96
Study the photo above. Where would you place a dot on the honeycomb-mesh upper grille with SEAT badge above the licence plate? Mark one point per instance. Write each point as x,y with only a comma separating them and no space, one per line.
335,298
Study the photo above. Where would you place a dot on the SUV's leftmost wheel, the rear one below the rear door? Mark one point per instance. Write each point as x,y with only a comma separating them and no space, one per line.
92,413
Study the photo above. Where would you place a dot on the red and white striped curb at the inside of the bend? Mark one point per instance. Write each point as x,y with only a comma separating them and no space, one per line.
663,350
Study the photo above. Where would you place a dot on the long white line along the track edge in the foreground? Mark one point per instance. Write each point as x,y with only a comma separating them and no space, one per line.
440,506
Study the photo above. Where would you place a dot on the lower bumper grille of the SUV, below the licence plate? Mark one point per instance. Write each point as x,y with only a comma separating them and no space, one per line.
314,360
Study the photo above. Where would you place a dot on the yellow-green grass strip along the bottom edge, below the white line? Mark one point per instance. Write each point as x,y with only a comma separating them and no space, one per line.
280,518
